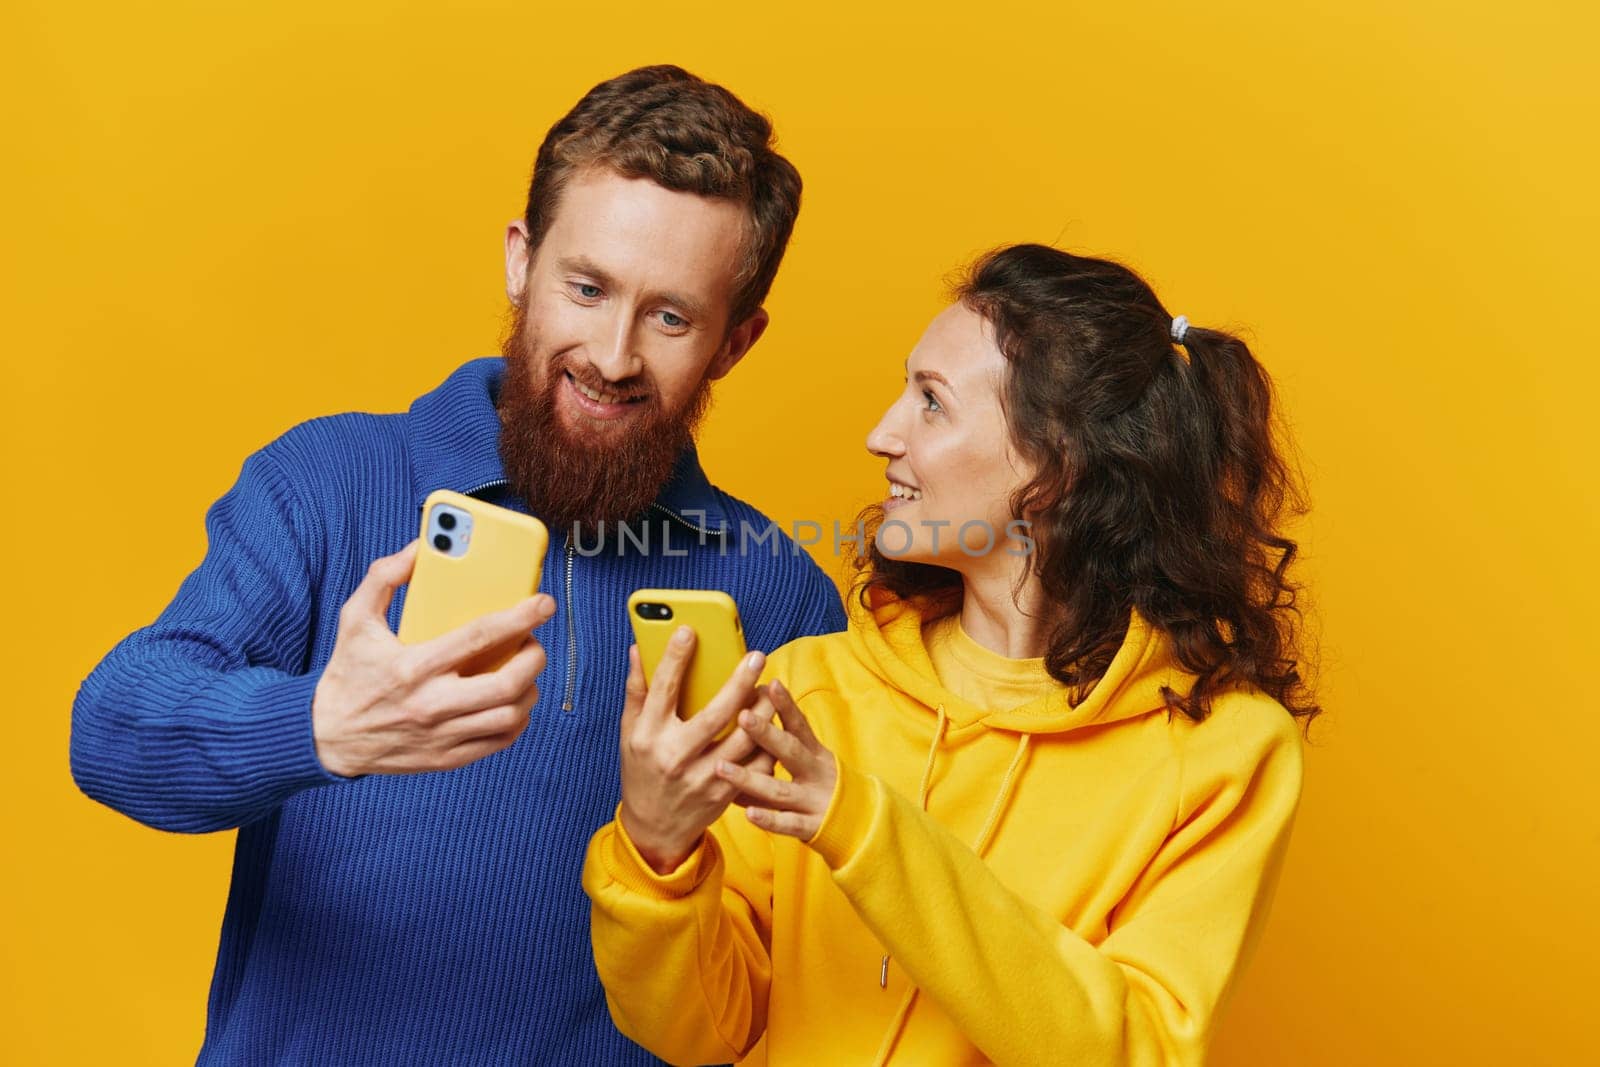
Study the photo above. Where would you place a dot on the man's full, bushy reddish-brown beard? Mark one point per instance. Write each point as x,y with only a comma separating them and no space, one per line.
609,476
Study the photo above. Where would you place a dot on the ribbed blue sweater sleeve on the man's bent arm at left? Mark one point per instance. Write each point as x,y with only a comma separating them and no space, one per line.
202,721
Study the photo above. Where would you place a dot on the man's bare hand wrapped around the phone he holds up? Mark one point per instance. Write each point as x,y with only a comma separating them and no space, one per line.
385,708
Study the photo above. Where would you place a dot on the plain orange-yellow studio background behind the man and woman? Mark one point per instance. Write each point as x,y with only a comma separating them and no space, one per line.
222,220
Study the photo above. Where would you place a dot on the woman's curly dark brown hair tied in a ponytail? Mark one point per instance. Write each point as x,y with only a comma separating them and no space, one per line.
1161,484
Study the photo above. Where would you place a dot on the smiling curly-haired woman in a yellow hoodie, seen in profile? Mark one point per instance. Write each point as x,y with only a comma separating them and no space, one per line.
1036,799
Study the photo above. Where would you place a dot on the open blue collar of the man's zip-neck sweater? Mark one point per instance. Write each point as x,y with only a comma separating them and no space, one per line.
455,446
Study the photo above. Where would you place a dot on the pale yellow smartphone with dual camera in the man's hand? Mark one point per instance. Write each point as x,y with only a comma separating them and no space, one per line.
473,559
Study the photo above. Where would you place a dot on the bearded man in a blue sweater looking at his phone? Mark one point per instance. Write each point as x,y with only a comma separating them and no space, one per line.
407,873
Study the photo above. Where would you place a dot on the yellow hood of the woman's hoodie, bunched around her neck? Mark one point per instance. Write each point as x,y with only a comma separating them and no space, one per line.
887,639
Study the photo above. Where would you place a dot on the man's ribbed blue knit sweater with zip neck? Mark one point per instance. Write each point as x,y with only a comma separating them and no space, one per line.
417,919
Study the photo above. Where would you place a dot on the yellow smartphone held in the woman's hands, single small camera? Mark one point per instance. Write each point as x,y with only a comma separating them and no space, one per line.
719,645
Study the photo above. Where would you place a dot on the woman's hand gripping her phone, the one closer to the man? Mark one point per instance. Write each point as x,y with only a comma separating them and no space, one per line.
671,789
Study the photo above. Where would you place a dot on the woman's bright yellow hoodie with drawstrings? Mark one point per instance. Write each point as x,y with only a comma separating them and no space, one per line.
1033,885
